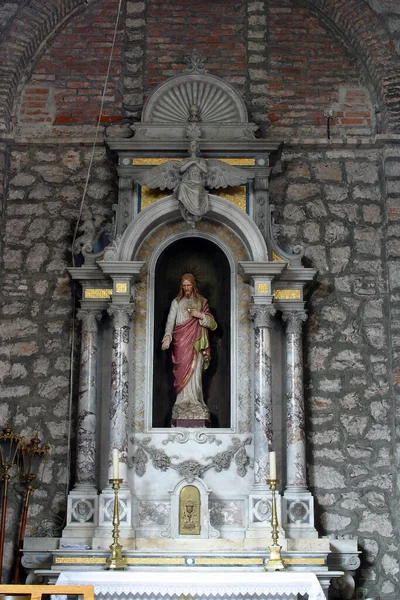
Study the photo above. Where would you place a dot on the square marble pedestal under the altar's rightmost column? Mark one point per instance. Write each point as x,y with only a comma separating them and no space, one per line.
298,513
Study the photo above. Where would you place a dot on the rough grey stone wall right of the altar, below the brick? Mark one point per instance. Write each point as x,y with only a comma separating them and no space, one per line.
331,202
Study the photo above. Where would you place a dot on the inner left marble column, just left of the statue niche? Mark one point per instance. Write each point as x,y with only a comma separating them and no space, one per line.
119,397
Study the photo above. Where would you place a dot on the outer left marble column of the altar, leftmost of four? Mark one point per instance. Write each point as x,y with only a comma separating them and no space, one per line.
87,403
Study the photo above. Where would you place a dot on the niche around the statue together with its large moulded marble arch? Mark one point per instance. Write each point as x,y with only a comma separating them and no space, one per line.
227,232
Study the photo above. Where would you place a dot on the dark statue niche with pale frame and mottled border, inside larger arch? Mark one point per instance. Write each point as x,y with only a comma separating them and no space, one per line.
209,239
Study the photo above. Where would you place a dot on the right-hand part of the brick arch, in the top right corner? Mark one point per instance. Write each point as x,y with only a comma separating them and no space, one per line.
362,31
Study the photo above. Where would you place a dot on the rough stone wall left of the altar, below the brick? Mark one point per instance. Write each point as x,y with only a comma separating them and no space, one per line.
45,186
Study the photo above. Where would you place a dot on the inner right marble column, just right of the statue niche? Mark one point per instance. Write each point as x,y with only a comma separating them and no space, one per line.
261,315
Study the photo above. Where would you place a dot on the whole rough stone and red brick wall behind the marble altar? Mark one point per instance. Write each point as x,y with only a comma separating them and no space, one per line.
291,61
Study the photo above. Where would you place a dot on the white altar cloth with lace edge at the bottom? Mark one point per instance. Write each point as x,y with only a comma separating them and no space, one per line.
200,583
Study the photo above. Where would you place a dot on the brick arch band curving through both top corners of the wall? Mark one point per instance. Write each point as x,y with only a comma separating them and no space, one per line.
358,27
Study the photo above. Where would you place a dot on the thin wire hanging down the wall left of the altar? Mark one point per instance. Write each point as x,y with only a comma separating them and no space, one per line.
74,290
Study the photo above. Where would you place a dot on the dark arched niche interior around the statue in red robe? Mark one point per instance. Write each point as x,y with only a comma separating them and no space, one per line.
208,263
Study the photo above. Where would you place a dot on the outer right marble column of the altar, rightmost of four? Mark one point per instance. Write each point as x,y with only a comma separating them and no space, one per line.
295,422
